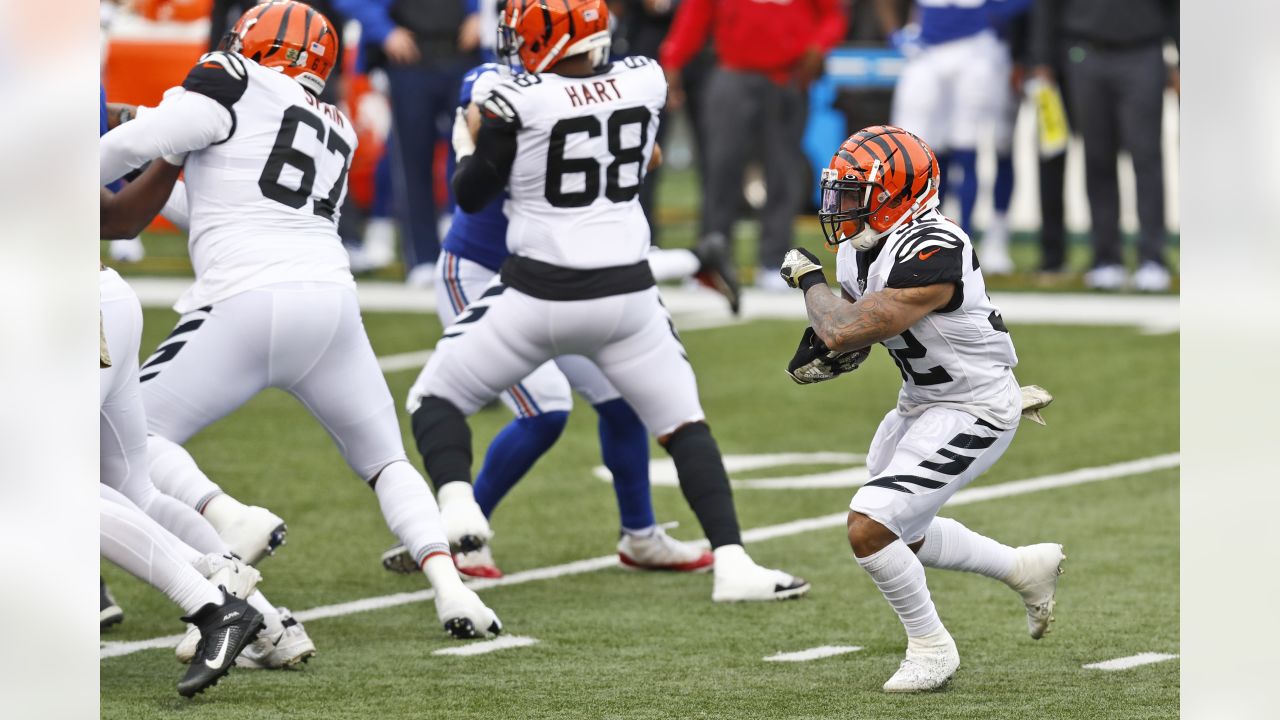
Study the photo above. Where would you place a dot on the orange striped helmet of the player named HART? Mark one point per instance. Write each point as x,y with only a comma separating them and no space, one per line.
543,33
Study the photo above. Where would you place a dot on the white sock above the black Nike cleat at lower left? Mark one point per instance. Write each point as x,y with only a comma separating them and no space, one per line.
140,546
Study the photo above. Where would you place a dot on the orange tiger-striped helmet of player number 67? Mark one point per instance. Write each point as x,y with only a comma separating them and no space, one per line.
291,38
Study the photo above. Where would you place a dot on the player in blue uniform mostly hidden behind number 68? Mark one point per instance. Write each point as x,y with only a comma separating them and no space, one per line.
473,253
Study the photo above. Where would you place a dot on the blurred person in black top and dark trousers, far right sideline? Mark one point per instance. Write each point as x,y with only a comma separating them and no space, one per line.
1113,54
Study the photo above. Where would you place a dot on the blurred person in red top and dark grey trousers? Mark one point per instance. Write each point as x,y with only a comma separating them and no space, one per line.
756,101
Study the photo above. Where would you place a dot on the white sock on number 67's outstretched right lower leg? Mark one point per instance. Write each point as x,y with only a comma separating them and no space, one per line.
410,512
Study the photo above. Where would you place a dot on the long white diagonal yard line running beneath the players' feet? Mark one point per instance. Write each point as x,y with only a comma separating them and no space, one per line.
756,535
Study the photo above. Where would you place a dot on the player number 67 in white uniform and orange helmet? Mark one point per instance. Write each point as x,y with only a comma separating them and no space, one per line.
275,303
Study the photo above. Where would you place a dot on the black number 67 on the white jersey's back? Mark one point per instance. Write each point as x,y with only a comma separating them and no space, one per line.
284,153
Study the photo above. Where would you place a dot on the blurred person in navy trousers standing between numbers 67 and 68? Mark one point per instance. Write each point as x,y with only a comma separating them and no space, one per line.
426,47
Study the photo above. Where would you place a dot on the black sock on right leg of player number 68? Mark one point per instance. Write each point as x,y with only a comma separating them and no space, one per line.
706,484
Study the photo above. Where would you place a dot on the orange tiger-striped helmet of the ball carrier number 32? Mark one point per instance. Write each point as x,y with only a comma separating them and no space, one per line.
879,179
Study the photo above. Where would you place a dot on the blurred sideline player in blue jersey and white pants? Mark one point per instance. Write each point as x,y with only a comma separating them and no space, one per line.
953,90
